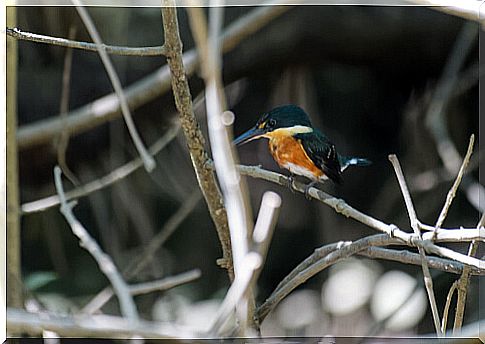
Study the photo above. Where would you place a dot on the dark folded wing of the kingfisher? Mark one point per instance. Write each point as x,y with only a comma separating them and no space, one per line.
323,154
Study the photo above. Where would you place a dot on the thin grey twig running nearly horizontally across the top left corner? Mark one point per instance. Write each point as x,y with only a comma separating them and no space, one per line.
70,43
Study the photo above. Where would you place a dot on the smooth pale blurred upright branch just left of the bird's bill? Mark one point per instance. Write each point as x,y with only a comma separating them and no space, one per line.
234,190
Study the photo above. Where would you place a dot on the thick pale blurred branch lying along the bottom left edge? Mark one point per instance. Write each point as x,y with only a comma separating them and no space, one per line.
94,326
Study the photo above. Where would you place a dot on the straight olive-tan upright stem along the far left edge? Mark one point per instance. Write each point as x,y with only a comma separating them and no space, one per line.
14,274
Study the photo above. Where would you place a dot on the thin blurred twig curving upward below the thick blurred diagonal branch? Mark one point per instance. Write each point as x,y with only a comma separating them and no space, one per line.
114,176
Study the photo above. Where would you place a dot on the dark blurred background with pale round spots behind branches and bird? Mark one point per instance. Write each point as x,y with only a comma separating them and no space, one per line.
363,73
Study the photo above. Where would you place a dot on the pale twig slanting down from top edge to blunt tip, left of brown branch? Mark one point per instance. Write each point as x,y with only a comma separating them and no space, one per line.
148,160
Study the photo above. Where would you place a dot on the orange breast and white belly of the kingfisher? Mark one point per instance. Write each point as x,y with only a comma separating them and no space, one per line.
289,153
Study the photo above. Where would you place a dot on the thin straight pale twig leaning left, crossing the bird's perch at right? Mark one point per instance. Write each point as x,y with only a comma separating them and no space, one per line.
428,281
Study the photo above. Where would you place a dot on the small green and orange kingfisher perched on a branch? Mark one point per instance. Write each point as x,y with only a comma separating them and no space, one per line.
299,147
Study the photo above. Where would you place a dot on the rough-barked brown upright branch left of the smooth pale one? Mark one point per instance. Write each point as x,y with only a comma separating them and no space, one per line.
193,135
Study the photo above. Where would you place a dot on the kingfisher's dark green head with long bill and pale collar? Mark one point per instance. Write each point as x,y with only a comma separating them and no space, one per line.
282,120
